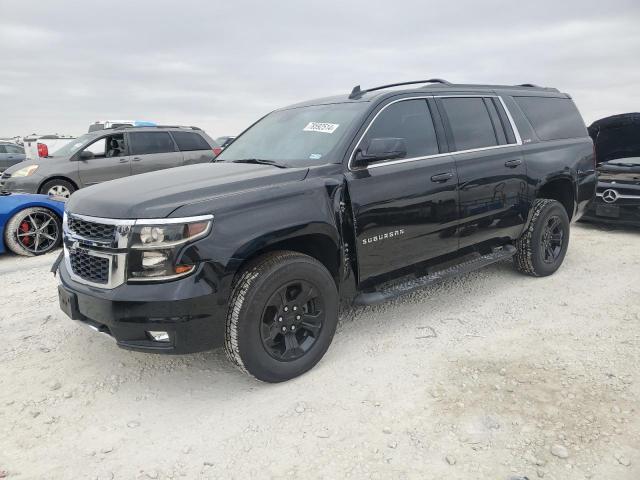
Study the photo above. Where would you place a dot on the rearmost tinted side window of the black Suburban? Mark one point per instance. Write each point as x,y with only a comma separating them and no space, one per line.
553,118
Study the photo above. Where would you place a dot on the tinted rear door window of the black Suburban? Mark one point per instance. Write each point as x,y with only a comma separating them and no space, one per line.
470,122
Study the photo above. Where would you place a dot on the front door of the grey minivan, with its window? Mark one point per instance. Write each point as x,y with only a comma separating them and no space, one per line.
110,160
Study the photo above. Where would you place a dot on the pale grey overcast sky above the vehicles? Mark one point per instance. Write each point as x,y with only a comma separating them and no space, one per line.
222,64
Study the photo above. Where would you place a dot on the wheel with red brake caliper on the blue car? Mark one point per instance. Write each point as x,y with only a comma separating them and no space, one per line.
33,231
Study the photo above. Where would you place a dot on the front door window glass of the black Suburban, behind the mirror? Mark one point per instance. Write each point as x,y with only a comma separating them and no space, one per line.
408,119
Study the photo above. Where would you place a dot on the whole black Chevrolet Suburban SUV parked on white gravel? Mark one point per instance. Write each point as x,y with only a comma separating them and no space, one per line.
355,198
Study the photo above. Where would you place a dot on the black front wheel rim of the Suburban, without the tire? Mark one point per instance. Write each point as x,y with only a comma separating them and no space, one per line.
292,320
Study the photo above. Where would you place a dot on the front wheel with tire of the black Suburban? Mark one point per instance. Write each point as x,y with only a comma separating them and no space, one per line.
268,296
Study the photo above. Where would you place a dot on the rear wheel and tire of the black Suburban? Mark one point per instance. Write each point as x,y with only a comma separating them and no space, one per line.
543,245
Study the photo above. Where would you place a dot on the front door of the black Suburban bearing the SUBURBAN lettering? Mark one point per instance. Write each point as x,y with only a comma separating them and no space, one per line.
405,210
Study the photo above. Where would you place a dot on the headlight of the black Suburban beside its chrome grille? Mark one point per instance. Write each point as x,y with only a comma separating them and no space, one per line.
156,246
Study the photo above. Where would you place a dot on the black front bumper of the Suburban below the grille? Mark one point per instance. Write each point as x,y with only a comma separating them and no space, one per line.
191,310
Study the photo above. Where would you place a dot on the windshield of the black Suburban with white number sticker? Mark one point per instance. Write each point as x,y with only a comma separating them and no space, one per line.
296,137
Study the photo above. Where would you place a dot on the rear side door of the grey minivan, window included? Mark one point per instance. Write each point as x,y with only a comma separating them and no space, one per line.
152,151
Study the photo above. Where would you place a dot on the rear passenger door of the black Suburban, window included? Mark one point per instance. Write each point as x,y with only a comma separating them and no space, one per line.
491,171
